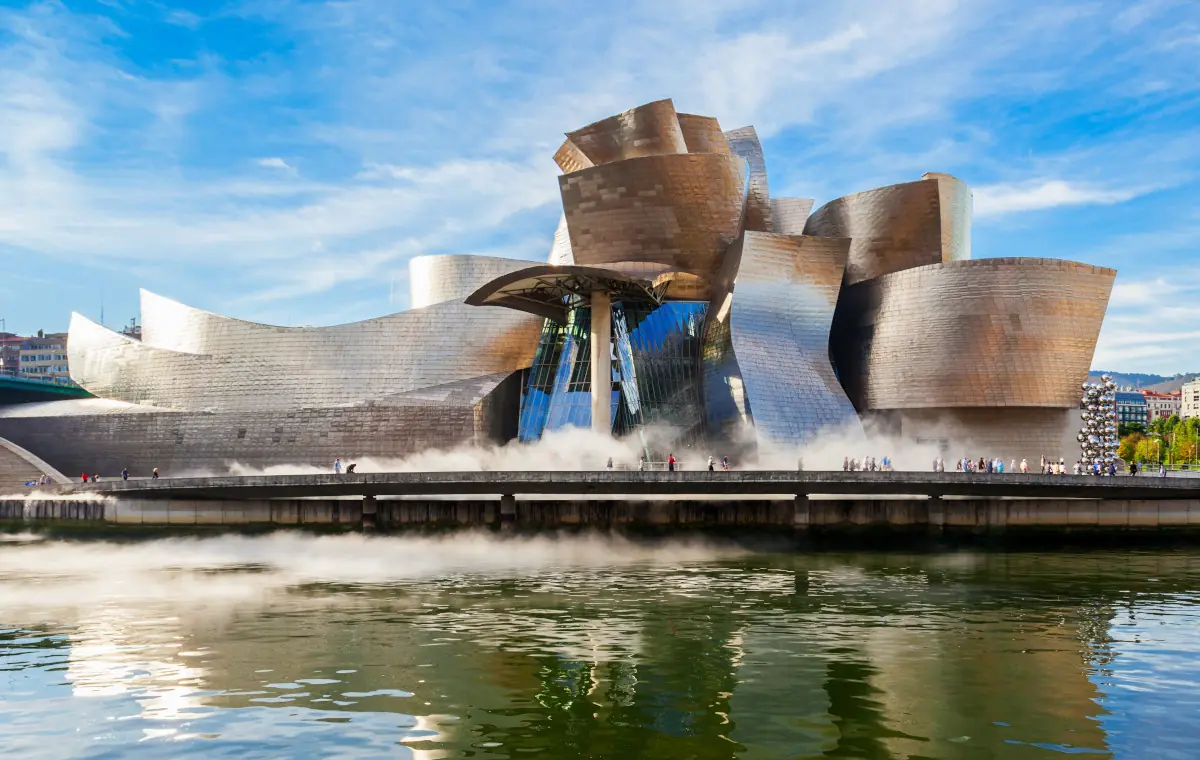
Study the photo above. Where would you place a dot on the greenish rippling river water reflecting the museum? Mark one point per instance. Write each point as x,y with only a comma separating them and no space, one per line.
299,645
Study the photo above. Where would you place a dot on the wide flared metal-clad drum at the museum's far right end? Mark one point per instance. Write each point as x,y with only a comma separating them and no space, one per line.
987,333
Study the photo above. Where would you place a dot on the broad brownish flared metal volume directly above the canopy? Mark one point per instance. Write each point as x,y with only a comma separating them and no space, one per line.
680,211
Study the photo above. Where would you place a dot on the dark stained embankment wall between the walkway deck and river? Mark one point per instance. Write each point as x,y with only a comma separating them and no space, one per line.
797,514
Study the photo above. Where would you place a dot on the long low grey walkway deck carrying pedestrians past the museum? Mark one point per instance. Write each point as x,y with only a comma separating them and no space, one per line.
625,486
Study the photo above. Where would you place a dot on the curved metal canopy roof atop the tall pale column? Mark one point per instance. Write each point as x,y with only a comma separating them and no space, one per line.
550,291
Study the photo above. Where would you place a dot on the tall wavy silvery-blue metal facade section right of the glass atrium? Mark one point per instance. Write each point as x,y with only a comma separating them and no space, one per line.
781,312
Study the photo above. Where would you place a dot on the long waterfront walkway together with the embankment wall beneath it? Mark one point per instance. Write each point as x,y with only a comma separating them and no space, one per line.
778,500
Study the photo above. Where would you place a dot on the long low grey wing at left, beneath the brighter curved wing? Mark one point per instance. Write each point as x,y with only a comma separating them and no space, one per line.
106,439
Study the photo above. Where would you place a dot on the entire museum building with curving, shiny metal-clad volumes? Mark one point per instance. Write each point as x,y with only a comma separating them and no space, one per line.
681,303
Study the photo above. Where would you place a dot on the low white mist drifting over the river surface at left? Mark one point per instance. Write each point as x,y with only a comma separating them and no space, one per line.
44,575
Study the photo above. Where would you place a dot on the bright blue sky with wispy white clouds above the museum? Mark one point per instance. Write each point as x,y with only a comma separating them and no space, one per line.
281,160
